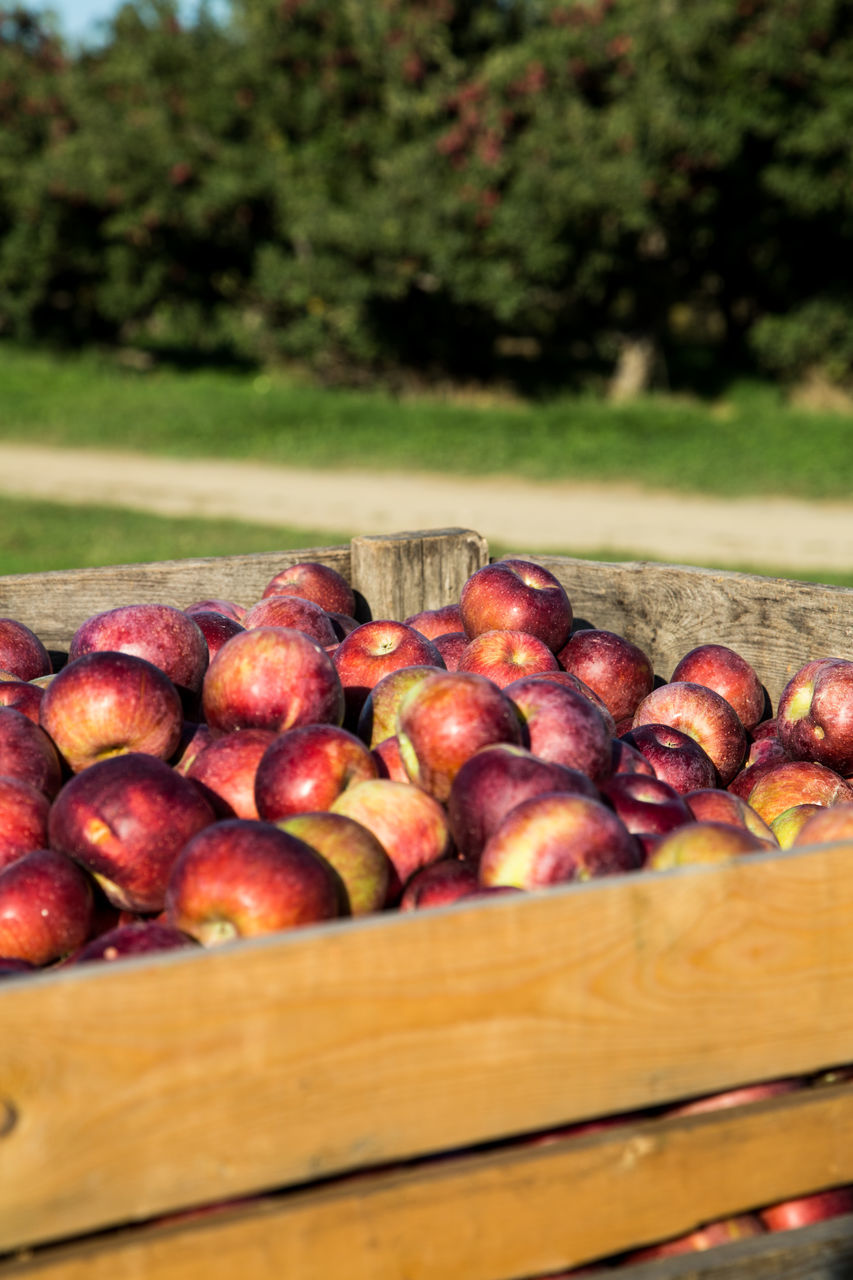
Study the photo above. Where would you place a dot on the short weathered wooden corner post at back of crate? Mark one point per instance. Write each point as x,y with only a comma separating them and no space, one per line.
403,574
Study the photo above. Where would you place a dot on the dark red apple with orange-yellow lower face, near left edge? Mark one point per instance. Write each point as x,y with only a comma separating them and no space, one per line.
106,703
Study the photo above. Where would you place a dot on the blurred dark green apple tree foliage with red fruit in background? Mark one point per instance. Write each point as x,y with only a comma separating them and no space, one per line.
437,186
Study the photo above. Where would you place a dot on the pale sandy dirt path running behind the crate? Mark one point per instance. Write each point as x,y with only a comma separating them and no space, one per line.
583,519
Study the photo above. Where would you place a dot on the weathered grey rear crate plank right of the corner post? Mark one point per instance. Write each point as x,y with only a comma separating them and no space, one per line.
668,610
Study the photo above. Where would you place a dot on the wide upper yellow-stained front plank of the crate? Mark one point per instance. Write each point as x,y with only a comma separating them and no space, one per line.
198,1077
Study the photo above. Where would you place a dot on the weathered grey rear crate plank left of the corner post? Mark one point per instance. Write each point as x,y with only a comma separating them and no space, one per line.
56,604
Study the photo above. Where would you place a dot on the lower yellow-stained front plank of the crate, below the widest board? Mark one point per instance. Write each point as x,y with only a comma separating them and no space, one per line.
501,1215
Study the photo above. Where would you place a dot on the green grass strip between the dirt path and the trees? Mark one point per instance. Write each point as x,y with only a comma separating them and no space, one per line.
749,444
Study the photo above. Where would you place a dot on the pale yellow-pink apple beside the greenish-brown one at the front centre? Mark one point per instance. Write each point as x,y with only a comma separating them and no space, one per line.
408,822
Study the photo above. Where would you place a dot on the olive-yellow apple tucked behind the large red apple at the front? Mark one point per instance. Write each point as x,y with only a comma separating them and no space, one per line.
354,852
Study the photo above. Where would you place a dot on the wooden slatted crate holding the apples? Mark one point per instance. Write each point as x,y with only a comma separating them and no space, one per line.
354,1099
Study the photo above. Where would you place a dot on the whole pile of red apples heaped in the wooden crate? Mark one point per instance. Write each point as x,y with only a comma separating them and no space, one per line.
194,776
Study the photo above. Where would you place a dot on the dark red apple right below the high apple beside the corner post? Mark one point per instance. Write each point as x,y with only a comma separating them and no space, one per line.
617,669
